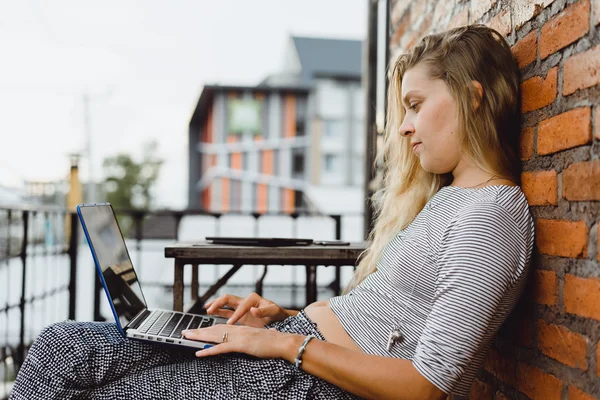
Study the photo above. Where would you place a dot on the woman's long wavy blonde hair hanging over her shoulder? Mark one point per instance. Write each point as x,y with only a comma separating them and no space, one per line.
489,132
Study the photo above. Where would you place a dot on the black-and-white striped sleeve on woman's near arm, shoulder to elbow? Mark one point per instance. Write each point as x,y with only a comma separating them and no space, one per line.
477,262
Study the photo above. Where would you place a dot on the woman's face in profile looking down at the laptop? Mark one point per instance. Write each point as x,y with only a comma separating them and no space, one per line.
431,120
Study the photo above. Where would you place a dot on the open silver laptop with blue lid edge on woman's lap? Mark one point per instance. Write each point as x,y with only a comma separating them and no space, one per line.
124,292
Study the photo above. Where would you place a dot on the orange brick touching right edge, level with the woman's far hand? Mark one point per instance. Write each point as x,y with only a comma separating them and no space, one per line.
582,296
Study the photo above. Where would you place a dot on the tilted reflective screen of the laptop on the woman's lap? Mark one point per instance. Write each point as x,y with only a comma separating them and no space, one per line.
113,260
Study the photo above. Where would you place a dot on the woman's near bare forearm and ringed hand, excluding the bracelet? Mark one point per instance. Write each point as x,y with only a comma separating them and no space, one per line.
365,375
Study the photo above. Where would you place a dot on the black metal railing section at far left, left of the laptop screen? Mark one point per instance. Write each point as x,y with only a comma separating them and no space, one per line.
38,272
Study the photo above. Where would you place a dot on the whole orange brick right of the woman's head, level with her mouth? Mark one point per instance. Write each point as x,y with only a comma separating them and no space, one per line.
564,131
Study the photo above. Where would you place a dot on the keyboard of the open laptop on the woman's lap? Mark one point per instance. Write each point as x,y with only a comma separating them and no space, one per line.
171,324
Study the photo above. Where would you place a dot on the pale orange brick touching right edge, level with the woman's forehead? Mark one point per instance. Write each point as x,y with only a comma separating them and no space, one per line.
581,71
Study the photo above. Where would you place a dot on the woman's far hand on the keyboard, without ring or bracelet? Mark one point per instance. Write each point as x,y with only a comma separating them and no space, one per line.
251,311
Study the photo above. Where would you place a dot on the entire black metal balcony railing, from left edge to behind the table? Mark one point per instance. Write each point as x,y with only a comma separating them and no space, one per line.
39,264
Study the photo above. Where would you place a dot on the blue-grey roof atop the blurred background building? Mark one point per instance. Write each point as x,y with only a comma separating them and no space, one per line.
341,58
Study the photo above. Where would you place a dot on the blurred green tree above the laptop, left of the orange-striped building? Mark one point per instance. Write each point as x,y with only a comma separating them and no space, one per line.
128,183
